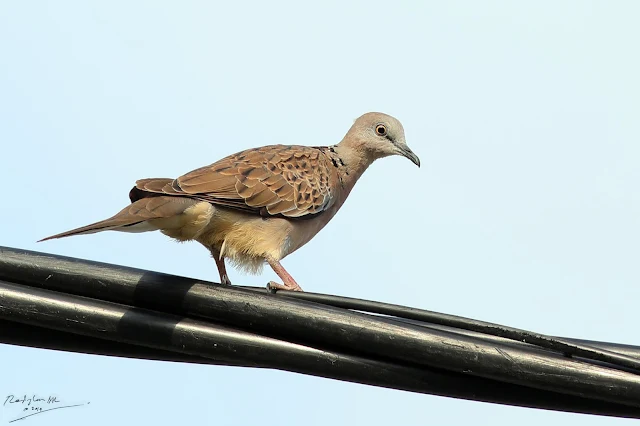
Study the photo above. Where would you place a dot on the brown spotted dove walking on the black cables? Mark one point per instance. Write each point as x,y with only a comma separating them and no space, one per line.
257,206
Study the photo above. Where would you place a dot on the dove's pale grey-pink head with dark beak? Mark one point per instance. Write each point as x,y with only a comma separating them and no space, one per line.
379,135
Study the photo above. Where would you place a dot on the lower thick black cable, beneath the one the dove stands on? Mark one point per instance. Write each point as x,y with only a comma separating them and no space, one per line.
144,332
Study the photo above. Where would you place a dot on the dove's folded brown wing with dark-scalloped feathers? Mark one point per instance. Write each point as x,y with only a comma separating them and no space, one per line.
275,180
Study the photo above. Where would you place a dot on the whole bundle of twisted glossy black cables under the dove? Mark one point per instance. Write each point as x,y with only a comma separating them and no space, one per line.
149,315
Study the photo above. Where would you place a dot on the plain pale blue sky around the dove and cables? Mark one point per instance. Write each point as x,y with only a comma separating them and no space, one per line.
526,210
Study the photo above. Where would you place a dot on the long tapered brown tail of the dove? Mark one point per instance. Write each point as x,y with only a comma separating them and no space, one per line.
135,217
